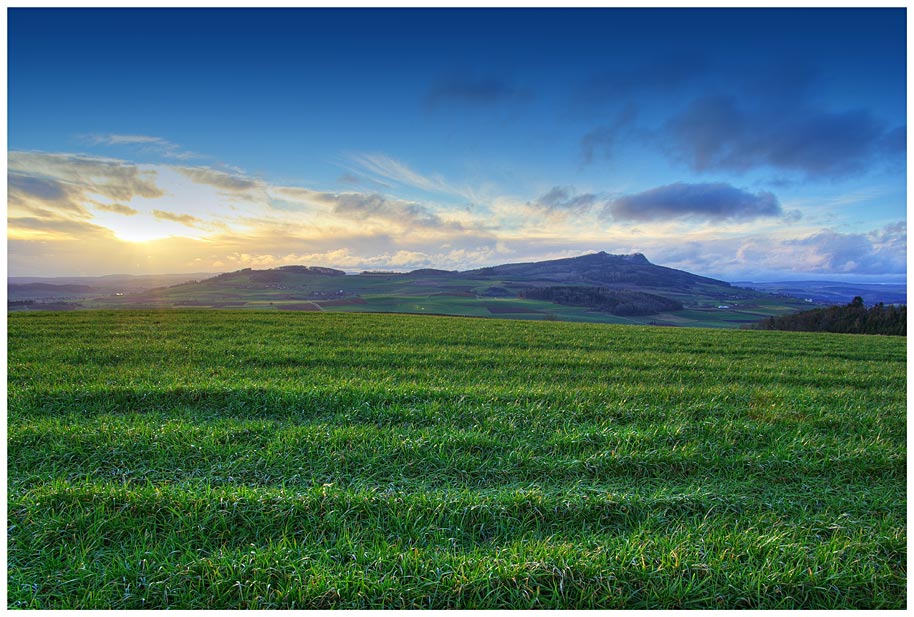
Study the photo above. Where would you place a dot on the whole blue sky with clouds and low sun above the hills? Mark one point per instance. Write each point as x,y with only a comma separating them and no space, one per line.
741,144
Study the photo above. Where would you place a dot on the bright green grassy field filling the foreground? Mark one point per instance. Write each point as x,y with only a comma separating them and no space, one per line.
240,459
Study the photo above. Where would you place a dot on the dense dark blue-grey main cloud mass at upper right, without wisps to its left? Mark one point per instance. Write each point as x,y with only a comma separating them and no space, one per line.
726,133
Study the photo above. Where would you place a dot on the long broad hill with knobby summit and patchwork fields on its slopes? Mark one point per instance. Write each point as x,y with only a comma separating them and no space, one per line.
598,287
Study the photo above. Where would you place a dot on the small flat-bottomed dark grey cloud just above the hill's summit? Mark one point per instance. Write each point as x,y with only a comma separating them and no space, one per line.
711,201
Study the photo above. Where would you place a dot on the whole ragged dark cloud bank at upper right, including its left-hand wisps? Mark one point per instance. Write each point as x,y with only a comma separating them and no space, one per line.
733,122
